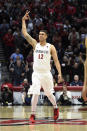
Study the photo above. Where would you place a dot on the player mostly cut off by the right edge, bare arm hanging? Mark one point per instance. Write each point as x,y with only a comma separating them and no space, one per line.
84,91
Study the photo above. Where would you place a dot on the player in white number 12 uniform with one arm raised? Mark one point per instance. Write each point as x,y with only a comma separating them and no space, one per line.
42,76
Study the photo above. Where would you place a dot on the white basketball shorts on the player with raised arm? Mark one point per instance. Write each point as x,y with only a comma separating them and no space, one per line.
44,80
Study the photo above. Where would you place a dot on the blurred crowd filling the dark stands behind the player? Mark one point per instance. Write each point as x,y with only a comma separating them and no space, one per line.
66,23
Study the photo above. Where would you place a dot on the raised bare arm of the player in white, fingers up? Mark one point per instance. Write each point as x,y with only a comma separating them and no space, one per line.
30,40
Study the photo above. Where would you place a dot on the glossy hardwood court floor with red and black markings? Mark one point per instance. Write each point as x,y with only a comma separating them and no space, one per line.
16,118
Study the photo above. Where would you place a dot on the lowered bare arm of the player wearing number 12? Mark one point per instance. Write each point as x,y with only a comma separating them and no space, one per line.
56,61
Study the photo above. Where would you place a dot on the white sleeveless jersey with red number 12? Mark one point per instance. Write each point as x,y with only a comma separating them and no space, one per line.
42,58
